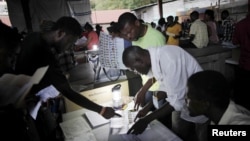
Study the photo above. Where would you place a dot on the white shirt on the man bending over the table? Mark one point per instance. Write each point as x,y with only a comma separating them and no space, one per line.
171,66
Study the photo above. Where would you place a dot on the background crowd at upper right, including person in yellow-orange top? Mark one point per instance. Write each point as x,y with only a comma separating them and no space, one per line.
197,31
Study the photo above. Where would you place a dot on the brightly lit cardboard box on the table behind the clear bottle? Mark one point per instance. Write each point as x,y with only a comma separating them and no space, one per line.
99,95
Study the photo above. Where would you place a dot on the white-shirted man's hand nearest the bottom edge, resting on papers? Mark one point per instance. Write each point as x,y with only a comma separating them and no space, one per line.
138,127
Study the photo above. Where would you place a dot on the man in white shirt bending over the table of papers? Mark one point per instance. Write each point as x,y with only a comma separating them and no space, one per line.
171,66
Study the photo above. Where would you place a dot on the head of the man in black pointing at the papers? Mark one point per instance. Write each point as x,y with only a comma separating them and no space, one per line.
65,31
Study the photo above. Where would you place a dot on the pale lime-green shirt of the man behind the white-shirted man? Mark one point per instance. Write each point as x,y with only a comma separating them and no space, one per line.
152,38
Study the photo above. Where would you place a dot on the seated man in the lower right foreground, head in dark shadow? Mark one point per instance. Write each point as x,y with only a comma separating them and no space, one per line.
209,94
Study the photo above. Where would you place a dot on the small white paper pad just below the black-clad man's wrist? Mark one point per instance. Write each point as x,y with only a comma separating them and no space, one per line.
95,119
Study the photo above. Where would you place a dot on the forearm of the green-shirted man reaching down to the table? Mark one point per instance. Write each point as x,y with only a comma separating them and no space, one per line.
140,95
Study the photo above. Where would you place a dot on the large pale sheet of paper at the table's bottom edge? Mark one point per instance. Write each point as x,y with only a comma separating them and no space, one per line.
77,129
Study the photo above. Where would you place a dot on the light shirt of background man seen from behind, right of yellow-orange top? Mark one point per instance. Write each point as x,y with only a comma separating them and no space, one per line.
200,32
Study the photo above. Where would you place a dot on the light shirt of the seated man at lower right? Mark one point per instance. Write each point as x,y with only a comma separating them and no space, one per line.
235,115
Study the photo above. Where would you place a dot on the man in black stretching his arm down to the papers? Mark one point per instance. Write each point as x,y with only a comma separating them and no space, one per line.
37,52
